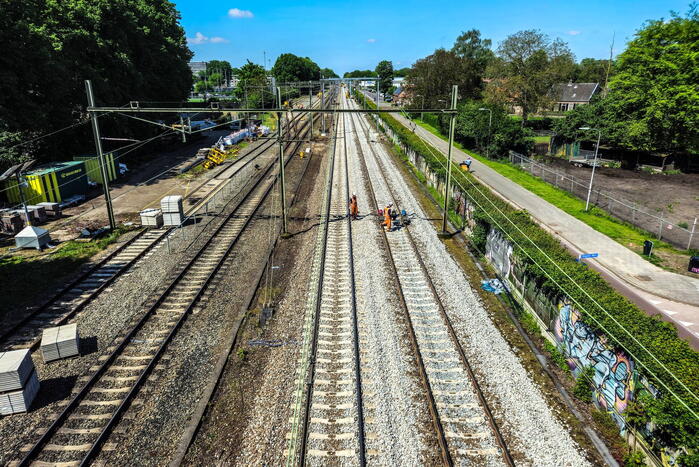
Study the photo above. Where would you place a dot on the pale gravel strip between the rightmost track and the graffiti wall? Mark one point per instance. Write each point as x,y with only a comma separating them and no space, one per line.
529,425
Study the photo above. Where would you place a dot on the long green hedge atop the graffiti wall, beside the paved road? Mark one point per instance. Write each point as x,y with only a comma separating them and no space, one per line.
674,424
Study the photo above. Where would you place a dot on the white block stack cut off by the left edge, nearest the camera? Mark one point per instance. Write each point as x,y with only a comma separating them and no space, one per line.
19,382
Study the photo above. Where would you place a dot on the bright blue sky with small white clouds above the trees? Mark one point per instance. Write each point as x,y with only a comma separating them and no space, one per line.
348,35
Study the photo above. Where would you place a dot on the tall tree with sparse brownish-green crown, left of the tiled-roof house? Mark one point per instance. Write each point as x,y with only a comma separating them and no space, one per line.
529,63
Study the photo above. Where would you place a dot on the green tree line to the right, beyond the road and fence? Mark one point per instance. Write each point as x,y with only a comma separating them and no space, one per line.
649,99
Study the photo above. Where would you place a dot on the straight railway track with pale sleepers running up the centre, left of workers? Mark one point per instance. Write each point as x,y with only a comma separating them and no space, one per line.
330,429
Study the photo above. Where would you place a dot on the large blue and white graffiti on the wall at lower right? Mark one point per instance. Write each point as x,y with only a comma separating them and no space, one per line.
613,378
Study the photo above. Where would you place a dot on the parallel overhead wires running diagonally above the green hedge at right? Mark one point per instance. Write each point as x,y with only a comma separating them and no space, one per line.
562,288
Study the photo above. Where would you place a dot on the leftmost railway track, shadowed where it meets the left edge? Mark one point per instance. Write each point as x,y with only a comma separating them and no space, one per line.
73,298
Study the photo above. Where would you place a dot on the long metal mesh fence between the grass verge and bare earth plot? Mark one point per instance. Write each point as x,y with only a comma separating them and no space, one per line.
681,233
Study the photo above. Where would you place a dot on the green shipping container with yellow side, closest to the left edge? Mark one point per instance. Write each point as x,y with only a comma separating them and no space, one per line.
53,183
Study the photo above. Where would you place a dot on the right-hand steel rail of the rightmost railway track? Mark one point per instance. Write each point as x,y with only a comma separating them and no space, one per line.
507,457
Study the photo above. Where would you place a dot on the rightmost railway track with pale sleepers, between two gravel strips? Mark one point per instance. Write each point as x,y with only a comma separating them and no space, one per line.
466,430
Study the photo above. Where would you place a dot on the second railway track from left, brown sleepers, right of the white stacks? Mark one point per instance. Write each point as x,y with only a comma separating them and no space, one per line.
79,433
